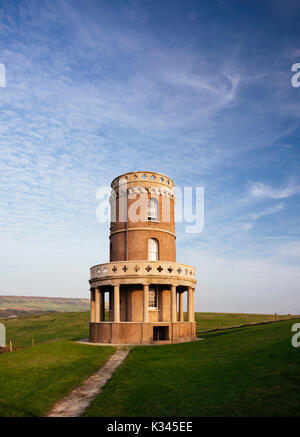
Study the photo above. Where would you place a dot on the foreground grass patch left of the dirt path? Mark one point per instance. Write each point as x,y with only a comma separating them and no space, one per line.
33,379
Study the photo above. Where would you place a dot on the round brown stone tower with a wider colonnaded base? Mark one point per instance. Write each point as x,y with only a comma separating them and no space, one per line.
144,283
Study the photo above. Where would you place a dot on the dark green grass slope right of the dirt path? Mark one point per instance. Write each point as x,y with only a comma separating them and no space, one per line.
251,371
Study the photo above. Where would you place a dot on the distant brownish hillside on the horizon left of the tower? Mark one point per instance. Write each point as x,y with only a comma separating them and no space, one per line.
22,305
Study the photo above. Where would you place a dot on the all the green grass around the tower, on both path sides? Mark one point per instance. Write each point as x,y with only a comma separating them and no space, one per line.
249,371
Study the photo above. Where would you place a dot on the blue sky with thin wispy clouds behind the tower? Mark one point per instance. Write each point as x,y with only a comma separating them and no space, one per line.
198,90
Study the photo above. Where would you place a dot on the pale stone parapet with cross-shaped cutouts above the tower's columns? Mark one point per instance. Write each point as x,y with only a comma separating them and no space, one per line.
126,269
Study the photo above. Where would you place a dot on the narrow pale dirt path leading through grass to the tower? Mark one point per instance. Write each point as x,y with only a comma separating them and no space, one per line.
79,399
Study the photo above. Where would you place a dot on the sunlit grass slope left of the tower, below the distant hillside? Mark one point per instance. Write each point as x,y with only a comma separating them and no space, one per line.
46,327
